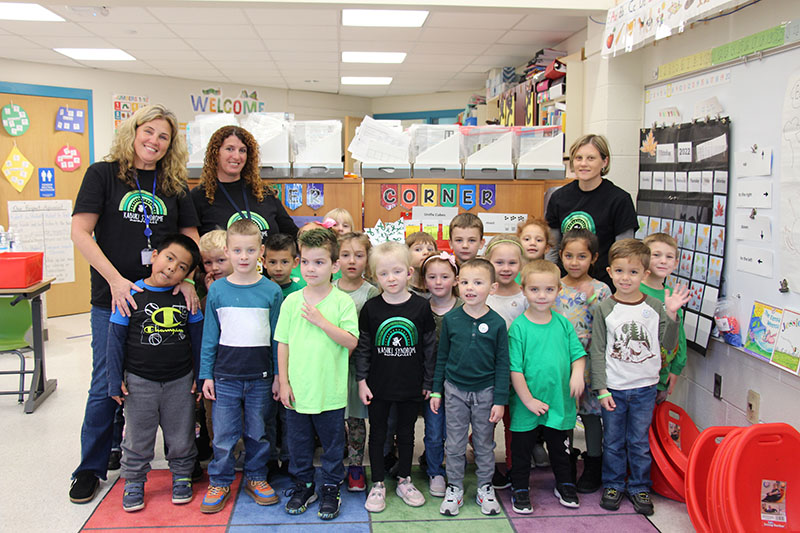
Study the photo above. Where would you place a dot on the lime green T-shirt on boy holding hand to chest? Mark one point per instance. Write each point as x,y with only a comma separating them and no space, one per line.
317,366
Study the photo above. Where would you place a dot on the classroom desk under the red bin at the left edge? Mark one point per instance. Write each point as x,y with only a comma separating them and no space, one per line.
41,387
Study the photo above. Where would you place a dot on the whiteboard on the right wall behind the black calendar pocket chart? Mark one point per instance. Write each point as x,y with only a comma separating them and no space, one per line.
762,220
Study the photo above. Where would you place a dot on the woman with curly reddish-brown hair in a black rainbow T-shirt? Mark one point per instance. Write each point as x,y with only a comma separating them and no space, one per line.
231,187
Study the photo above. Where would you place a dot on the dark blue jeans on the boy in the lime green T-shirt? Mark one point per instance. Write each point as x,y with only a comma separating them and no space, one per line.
329,426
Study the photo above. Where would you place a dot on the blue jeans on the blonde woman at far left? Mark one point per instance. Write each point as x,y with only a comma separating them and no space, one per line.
98,419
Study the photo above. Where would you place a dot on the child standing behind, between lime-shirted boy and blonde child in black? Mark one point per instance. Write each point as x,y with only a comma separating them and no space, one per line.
353,256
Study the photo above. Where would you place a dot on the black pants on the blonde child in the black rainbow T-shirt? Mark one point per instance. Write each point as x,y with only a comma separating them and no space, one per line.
378,418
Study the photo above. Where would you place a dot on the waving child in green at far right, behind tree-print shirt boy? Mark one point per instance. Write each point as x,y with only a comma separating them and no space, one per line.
663,260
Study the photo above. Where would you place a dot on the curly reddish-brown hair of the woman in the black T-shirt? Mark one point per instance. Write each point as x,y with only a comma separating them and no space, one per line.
250,173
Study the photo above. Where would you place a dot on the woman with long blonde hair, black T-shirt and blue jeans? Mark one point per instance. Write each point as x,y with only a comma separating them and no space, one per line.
126,205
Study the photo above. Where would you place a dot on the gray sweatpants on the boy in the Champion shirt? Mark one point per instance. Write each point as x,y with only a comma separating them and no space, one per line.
148,405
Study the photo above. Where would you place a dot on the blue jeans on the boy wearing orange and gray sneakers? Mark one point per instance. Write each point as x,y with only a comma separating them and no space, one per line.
240,400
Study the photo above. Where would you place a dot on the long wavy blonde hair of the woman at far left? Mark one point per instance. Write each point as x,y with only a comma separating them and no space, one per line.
172,167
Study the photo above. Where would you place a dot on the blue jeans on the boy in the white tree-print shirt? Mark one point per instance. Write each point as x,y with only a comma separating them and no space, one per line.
625,440
